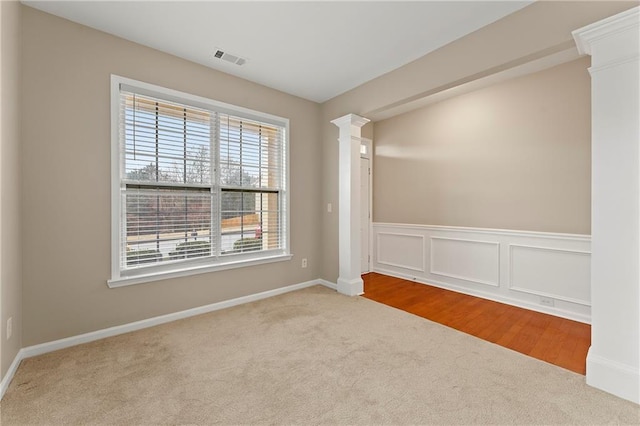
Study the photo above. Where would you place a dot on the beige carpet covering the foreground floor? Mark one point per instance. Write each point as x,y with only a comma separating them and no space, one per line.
307,357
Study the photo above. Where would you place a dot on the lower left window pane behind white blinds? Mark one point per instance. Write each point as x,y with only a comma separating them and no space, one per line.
166,225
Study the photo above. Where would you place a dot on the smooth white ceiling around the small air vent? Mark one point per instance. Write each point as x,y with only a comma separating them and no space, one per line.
314,50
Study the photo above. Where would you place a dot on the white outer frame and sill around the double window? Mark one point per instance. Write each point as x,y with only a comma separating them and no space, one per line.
196,266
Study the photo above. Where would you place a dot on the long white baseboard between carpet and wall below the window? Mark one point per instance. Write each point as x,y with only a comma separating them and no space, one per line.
67,342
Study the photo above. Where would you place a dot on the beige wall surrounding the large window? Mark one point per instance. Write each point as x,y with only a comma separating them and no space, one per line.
66,181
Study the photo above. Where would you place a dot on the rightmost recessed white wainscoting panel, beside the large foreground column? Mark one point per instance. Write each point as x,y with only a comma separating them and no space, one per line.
550,272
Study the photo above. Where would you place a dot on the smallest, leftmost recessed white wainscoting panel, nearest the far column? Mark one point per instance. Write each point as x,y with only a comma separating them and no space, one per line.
404,251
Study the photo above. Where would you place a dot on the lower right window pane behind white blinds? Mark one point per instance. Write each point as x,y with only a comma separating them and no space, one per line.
250,221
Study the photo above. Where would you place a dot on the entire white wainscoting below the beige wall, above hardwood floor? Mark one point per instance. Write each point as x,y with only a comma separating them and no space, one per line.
542,271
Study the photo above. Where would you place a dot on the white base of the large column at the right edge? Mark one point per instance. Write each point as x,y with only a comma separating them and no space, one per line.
613,377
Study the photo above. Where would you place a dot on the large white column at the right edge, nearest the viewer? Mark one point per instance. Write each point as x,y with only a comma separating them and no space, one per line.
613,362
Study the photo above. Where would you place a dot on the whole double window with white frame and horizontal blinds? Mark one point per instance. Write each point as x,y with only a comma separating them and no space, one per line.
197,185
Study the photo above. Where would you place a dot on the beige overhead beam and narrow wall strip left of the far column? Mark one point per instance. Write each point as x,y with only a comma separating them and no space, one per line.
533,32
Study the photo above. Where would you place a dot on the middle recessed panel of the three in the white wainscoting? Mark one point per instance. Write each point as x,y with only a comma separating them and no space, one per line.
469,260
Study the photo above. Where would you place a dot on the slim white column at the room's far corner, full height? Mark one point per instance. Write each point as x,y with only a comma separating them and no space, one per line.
349,279
